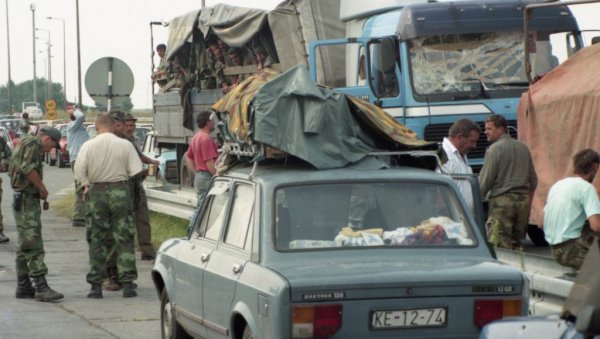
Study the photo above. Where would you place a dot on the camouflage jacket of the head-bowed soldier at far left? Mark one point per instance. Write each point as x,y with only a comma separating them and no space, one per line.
26,157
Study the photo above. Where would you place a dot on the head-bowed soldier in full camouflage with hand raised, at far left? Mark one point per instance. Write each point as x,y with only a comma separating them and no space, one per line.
25,171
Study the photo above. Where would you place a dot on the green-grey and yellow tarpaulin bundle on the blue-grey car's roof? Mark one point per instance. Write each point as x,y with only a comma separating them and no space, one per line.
327,129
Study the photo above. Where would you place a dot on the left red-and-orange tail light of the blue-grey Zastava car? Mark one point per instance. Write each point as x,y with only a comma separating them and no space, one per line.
321,321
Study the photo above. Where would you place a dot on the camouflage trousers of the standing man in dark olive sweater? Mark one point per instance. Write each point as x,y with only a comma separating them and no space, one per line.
508,216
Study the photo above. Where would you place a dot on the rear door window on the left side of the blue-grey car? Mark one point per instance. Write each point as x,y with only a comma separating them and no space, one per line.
241,217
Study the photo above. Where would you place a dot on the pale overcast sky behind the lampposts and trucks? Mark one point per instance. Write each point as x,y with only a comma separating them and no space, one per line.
116,28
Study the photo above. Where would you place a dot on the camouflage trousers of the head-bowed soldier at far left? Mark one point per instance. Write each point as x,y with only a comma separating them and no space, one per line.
30,253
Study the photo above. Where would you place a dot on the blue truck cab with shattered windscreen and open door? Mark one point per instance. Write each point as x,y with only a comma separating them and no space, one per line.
430,63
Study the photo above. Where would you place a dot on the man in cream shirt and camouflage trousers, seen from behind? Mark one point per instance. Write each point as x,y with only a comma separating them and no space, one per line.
104,167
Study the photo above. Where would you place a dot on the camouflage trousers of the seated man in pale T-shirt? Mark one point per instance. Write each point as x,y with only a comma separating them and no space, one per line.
572,252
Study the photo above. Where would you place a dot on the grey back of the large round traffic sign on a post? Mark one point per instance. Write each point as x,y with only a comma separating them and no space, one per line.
109,78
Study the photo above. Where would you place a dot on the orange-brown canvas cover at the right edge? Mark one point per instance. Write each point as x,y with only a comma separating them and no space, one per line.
559,116
